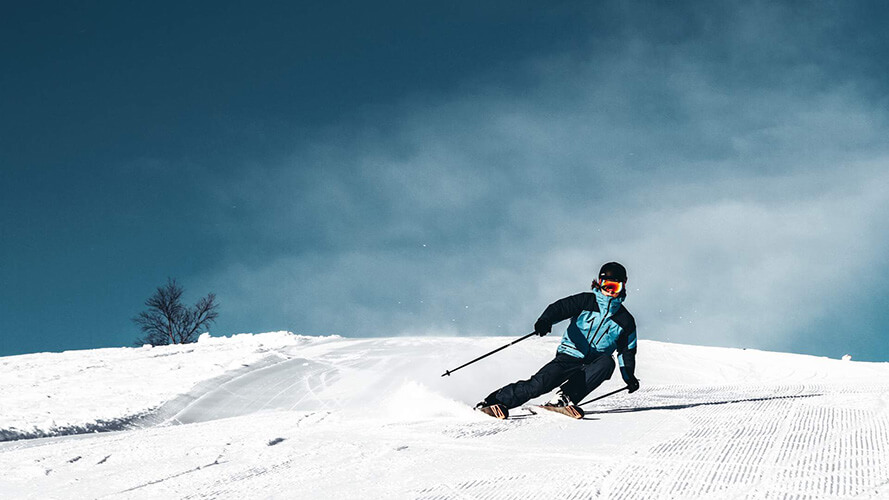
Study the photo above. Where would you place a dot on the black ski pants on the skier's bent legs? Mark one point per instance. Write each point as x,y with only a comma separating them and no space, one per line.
578,377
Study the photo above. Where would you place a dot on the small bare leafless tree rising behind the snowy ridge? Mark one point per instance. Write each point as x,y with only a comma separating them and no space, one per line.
168,321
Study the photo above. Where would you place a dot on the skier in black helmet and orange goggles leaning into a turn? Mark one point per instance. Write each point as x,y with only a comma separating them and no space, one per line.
599,326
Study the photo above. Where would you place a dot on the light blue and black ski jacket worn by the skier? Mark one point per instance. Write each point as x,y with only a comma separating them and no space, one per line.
599,325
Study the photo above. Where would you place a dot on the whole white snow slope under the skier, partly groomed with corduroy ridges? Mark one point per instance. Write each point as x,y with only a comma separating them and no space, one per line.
284,416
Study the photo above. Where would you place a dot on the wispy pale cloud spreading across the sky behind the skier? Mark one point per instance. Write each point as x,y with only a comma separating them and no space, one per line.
733,205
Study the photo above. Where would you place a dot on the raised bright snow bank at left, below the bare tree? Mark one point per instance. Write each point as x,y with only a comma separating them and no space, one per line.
44,394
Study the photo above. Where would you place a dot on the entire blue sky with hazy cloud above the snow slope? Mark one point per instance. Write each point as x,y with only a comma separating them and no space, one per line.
421,168
